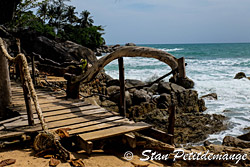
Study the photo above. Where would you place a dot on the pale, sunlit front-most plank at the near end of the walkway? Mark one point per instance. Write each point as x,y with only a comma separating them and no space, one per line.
115,131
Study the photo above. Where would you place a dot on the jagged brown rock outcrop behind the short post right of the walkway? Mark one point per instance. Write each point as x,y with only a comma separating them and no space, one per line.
189,127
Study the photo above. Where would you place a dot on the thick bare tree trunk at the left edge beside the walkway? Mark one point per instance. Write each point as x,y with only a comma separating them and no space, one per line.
5,91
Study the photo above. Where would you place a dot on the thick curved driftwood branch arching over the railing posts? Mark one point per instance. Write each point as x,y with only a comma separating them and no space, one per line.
128,51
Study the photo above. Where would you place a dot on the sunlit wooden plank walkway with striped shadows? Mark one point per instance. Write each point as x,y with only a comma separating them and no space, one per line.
87,121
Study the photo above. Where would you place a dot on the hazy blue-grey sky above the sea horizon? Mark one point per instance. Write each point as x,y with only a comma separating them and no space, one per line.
170,21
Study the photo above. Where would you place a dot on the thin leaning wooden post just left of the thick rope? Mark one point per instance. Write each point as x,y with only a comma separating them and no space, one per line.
27,97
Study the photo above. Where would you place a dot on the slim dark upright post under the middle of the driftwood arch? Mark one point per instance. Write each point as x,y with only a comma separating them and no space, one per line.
122,107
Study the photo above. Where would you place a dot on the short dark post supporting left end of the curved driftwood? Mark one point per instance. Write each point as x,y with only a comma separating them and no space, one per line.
72,89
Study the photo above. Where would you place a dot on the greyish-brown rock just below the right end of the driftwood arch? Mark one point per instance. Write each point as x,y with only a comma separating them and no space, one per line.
167,87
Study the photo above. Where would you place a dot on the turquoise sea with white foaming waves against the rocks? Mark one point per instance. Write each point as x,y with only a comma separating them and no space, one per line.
212,67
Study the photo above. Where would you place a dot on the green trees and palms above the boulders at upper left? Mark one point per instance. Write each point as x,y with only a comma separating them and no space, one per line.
56,19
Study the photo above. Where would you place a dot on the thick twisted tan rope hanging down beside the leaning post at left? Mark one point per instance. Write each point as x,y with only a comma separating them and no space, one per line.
21,59
